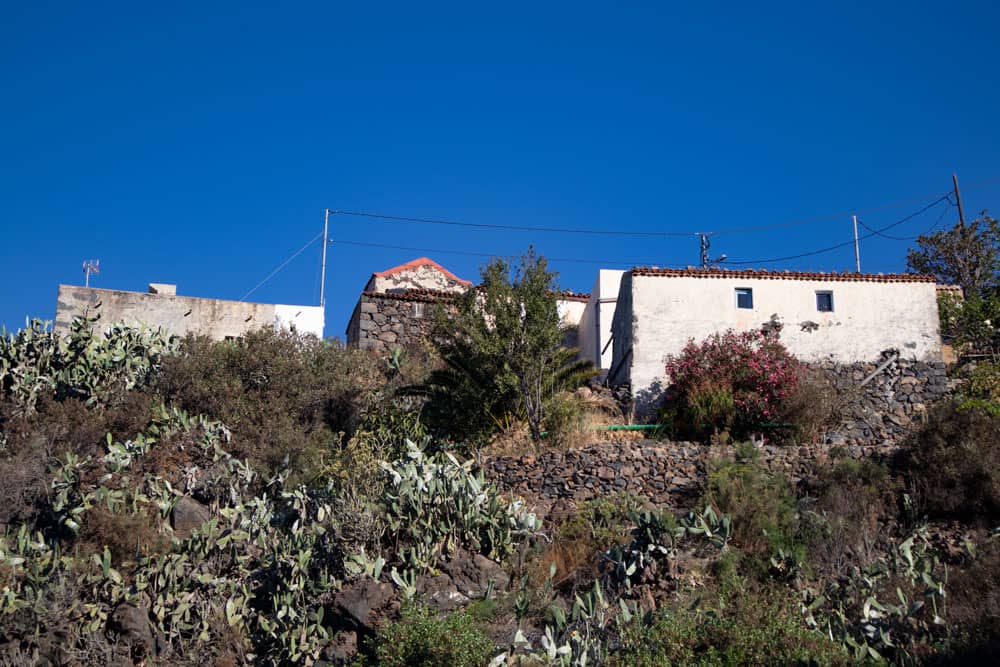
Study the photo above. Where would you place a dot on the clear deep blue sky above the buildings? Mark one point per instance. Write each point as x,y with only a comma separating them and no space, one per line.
199,143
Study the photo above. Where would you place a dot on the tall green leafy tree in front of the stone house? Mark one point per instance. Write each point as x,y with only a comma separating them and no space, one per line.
501,344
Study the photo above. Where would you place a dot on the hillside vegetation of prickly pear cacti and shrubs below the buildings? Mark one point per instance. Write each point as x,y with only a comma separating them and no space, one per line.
282,500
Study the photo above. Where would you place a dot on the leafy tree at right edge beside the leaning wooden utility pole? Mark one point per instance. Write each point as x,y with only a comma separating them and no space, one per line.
967,255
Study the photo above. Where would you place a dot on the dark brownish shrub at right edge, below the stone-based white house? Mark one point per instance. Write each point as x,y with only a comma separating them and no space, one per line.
952,465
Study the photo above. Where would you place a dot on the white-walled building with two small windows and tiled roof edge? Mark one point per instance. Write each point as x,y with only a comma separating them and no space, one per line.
841,318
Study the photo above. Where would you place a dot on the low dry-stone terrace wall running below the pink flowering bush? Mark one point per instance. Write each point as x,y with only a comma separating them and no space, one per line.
671,474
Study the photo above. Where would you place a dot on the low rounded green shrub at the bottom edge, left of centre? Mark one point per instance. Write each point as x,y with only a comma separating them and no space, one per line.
422,639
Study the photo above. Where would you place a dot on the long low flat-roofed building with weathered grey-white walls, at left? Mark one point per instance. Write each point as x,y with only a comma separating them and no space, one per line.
181,315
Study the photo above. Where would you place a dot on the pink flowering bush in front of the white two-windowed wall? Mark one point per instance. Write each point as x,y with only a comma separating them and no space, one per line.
731,381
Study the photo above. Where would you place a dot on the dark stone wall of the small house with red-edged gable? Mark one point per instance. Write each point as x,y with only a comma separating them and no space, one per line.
382,321
